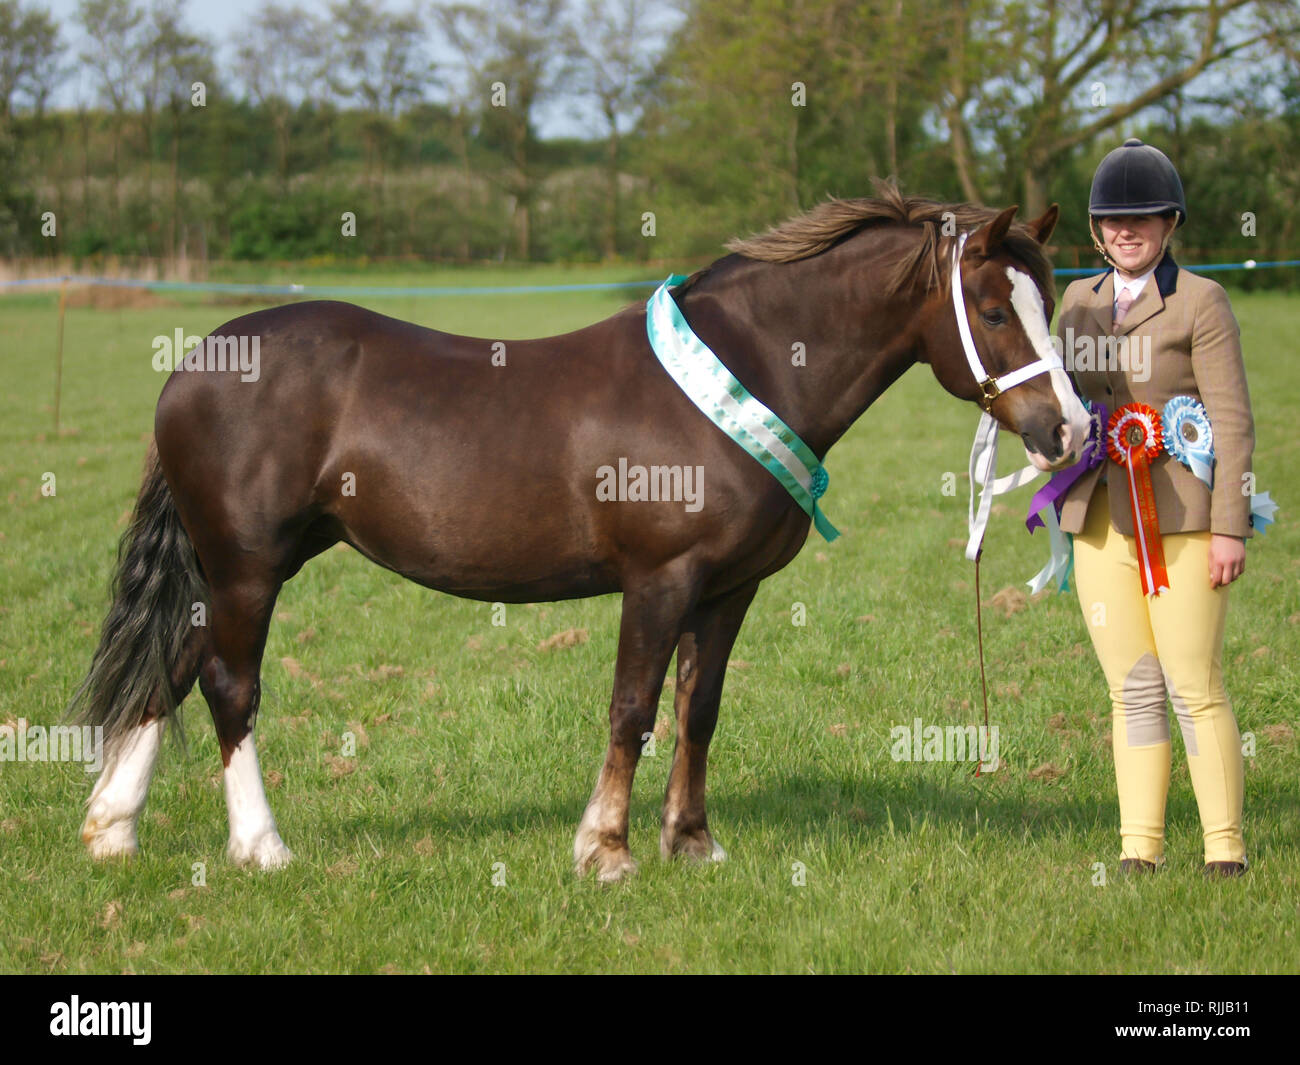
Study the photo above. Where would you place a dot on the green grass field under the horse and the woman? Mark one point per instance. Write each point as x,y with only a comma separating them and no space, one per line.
444,843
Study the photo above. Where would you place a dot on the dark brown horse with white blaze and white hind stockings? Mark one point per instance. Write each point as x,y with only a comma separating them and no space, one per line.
473,469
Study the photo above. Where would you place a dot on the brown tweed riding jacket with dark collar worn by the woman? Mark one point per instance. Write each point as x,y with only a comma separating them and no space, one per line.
1178,339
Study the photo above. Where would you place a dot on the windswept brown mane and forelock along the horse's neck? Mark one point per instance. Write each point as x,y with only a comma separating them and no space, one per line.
829,223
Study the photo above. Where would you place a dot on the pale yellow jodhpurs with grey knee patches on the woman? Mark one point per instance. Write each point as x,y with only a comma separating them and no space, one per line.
1147,647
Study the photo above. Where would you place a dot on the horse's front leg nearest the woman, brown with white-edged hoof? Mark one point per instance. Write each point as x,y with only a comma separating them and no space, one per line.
707,643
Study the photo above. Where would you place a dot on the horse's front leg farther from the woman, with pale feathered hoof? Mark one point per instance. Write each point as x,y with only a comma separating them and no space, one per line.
653,614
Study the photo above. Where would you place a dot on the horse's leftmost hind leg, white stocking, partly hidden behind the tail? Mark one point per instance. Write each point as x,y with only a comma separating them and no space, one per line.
119,796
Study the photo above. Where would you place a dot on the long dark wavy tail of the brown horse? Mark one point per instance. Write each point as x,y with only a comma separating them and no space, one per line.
138,673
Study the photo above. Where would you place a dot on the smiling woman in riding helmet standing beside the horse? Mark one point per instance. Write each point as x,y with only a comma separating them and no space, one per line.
1156,334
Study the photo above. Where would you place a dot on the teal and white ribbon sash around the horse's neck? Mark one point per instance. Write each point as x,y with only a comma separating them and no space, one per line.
729,405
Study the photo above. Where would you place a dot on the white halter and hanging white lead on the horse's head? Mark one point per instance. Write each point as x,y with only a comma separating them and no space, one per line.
983,464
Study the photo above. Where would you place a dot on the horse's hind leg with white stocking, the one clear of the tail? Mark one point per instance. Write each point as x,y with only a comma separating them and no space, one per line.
231,682
